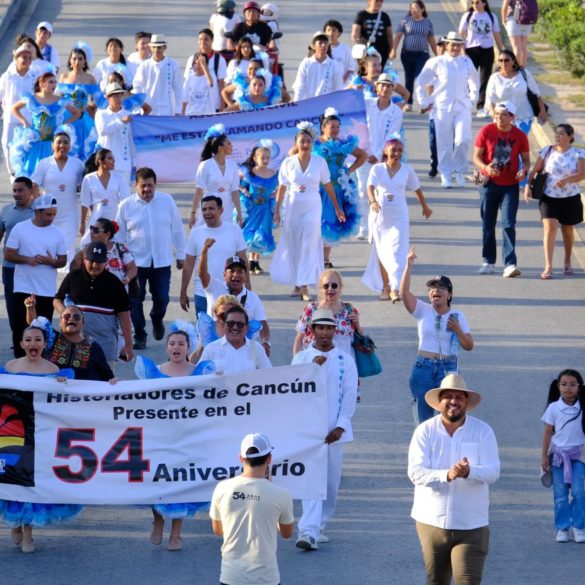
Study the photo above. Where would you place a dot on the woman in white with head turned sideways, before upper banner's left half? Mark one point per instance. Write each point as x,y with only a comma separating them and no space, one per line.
217,175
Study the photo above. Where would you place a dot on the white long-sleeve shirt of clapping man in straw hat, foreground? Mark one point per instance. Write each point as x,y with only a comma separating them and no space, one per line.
461,504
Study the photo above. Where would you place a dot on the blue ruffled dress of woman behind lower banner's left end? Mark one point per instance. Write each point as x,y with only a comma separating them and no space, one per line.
17,514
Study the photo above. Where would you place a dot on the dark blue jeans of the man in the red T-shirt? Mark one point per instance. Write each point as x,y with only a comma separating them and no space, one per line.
494,197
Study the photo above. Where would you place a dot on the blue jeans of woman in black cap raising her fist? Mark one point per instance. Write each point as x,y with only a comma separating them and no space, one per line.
427,374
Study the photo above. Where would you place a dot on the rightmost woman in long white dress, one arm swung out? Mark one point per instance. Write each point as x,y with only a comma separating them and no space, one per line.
389,222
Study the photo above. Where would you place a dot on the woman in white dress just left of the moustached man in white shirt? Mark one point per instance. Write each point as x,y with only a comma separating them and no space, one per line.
102,191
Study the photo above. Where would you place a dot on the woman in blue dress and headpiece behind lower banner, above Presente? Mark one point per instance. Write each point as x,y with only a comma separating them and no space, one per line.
178,343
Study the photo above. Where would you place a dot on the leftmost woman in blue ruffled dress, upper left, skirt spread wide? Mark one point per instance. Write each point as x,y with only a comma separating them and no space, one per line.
45,114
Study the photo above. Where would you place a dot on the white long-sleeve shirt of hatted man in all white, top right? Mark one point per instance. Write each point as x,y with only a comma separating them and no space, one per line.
454,80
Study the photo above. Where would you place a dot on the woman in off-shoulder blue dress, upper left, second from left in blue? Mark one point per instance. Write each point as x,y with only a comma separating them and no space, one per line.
82,90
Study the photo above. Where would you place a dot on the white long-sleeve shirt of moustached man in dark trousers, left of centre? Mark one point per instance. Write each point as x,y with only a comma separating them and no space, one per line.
153,230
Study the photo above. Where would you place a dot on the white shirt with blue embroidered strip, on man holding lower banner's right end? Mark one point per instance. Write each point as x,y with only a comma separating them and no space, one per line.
342,379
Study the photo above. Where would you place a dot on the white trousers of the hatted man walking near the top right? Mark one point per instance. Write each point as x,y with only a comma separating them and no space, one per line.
453,129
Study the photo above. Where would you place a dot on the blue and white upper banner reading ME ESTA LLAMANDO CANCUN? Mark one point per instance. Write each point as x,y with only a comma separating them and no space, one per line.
171,145
